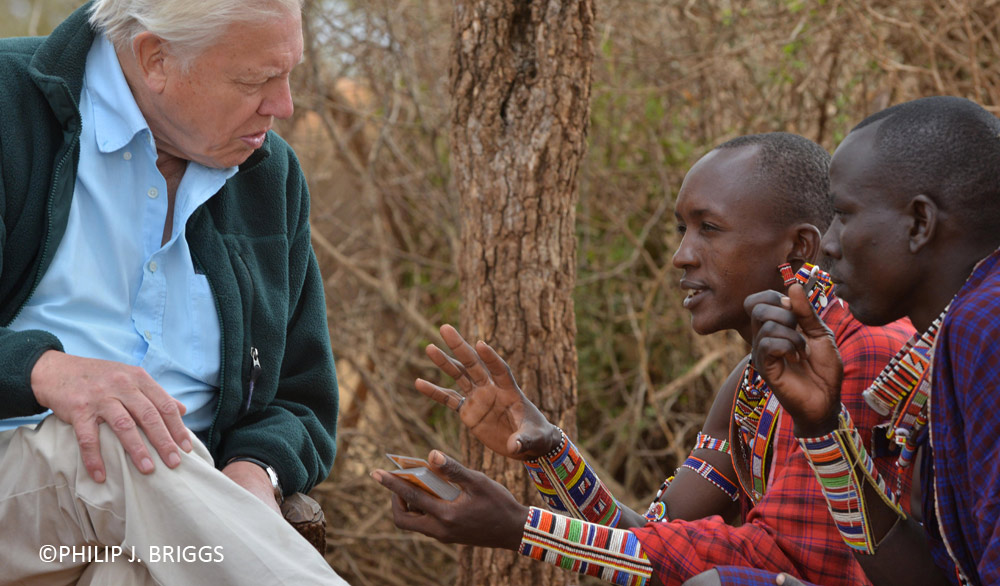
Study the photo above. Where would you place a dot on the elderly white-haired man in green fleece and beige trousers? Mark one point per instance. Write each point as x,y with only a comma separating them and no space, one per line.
165,363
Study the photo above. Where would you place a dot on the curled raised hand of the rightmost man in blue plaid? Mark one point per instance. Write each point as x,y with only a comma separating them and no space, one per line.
797,355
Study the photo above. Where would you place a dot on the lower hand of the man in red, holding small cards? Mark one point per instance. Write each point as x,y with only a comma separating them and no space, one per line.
484,513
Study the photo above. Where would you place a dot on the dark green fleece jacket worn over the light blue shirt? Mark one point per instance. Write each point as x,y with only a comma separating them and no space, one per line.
251,239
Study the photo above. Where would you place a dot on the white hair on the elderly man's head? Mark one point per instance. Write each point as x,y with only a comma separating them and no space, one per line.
190,26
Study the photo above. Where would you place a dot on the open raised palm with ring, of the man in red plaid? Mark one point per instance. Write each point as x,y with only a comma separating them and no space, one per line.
490,403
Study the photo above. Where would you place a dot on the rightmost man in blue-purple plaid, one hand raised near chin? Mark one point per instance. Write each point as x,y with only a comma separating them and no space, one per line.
917,193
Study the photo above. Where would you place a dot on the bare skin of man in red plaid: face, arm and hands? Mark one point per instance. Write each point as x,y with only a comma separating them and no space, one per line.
730,248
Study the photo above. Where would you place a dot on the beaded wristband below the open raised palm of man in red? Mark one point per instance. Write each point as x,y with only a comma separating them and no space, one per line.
568,485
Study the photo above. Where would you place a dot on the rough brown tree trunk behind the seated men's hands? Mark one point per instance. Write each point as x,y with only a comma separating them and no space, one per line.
520,77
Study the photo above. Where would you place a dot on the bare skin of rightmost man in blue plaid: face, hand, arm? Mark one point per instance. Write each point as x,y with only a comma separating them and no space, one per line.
897,254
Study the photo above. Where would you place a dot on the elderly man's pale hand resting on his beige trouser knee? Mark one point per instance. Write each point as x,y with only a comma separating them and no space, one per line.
84,392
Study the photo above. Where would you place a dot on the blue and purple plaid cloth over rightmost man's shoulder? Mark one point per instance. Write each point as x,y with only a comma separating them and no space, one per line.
965,431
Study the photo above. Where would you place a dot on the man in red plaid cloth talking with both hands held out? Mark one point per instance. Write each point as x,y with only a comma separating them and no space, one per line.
747,207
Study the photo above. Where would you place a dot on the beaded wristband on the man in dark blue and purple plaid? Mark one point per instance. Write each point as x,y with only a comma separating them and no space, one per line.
841,465
